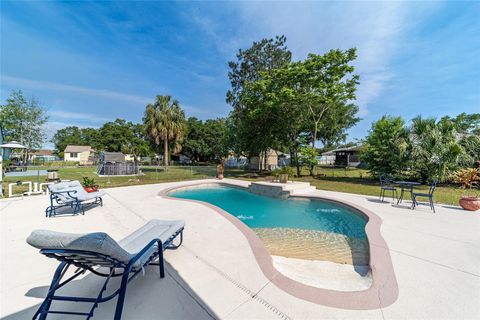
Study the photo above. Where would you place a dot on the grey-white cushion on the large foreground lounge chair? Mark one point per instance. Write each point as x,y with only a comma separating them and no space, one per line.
101,242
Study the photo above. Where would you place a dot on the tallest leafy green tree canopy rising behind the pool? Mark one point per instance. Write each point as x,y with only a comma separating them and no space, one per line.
287,104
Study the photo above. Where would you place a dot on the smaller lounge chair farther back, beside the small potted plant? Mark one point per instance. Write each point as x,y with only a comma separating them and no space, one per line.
71,194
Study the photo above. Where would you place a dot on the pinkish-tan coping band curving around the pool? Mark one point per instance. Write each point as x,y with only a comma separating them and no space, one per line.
383,291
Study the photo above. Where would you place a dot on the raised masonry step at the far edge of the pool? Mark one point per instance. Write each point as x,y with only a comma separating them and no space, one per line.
280,190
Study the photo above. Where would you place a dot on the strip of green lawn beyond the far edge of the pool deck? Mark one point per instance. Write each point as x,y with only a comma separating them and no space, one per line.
344,180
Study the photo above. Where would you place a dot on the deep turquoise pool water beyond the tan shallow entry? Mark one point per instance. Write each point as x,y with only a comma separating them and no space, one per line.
264,212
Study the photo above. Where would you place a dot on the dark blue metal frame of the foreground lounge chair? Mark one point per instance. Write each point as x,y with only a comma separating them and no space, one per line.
87,261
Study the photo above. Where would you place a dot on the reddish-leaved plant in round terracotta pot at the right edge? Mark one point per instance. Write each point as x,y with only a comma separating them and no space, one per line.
469,179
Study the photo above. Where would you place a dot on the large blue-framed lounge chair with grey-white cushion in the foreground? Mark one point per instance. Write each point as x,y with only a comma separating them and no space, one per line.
125,258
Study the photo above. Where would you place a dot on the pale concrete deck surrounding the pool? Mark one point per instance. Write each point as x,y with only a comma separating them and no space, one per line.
436,259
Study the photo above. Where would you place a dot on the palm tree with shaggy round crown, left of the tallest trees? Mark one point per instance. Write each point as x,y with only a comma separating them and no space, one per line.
165,121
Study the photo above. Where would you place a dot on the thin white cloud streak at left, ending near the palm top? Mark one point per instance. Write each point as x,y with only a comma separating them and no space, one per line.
46,85
